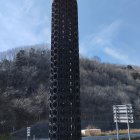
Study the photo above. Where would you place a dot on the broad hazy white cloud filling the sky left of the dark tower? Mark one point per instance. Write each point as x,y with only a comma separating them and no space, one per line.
23,23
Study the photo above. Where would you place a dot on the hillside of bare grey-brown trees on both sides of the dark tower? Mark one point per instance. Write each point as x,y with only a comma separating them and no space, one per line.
24,88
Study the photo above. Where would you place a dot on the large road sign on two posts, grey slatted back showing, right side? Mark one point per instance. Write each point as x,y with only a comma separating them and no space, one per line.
123,114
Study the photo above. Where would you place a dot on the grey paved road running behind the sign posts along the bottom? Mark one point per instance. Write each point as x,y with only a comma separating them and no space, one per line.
107,137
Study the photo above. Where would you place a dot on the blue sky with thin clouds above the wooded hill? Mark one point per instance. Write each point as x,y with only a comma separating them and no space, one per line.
109,29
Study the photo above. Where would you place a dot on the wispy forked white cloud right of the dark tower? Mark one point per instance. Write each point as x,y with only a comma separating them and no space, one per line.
103,42
